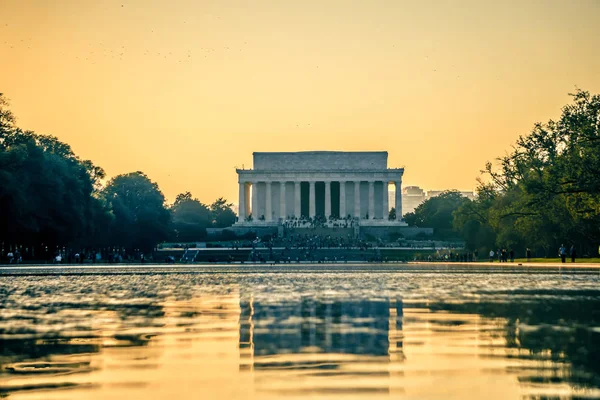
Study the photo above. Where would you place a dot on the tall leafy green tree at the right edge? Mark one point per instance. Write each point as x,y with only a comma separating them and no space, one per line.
548,186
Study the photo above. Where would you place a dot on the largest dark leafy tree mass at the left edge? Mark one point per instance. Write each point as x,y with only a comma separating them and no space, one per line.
46,191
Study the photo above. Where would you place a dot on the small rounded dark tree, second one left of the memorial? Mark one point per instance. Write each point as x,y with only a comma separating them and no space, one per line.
189,219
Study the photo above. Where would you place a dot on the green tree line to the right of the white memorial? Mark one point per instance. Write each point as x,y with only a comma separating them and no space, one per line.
543,194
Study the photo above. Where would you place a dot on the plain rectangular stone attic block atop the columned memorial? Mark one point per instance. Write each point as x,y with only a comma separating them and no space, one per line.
321,161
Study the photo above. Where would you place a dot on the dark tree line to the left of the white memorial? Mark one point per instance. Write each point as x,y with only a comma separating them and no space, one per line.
50,198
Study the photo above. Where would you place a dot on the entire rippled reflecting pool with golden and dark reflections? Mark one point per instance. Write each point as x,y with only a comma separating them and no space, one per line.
415,332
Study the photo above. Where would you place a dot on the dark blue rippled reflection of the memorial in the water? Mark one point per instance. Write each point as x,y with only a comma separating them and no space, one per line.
364,327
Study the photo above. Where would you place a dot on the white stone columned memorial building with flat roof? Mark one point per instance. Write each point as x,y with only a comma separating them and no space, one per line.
329,184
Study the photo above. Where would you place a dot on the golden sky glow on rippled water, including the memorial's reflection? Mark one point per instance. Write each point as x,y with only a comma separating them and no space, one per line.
229,346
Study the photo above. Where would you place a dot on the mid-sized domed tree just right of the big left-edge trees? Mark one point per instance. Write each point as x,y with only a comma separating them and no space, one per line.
141,219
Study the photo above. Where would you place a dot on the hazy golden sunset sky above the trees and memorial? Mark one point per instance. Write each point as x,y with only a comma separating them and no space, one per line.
186,90
